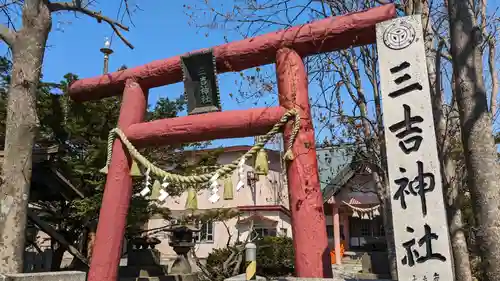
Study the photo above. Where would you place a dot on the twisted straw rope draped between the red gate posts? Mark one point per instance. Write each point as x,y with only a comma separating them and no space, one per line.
222,171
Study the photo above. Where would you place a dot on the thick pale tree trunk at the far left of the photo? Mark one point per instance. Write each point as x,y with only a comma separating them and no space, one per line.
21,126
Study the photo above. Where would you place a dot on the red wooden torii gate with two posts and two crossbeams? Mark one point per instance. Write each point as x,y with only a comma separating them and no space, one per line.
286,48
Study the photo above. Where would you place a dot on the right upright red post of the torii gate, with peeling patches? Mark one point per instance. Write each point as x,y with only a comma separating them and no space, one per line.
312,257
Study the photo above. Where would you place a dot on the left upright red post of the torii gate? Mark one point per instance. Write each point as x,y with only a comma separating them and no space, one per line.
117,193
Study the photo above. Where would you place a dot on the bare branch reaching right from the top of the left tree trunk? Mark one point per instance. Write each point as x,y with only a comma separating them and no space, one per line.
69,6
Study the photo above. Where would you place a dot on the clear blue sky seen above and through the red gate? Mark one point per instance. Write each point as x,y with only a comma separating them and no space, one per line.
161,31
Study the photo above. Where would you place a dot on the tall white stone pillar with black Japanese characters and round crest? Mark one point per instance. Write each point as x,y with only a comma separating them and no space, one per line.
419,217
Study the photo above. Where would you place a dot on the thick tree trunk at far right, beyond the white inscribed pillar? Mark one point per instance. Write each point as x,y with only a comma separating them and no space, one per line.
475,122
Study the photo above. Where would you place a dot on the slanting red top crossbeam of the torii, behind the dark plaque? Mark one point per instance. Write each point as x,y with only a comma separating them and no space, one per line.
330,34
